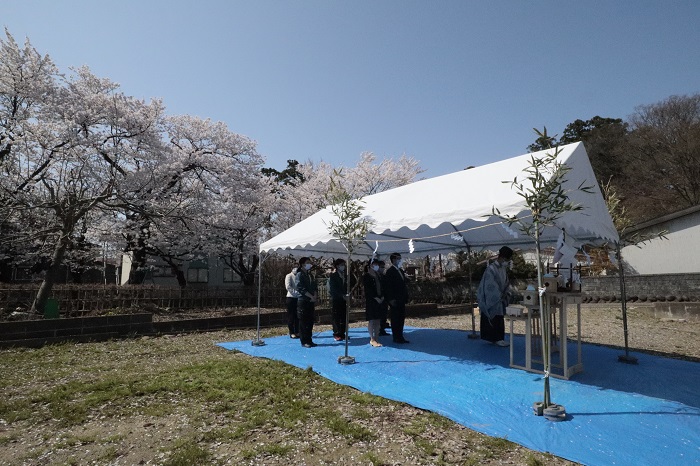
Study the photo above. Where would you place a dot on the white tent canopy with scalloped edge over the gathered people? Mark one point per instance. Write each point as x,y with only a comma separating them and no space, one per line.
452,212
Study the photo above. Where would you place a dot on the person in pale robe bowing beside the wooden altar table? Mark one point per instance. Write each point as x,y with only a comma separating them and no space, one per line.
492,296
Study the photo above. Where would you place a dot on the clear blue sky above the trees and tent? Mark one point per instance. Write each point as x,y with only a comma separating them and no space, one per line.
451,83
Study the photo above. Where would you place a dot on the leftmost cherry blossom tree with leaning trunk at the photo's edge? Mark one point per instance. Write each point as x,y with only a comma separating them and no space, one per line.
76,143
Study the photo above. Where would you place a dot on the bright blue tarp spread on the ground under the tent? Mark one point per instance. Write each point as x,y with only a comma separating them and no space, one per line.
617,414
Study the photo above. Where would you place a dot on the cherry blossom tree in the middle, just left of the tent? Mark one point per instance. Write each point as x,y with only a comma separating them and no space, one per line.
196,196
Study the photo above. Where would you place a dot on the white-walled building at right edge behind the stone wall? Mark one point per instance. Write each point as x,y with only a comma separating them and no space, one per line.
678,252
